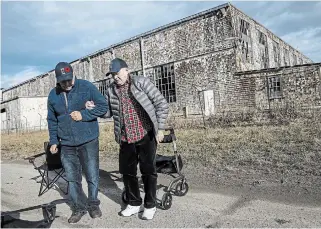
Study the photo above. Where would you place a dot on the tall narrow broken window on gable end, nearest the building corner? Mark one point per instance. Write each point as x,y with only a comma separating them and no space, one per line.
245,40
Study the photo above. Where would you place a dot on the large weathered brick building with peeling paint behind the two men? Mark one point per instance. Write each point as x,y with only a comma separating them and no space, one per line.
203,61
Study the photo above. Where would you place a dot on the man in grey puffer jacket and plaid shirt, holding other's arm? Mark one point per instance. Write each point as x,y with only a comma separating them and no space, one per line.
139,111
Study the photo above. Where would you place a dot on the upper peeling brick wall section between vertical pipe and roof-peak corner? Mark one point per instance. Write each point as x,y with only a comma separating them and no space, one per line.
194,38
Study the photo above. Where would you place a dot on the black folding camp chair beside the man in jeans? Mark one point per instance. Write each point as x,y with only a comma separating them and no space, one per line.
45,163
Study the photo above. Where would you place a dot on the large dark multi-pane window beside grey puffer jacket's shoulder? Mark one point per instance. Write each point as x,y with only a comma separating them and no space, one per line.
164,79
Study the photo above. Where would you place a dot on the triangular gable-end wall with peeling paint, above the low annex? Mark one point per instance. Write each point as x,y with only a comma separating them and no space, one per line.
280,55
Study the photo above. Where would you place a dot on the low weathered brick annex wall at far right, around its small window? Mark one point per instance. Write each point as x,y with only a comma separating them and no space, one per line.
300,88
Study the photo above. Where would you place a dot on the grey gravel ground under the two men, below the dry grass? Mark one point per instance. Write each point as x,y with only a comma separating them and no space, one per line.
216,199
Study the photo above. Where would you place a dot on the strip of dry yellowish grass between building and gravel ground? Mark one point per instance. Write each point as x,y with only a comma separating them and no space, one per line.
269,148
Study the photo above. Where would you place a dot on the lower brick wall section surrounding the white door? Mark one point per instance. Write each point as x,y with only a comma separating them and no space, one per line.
209,72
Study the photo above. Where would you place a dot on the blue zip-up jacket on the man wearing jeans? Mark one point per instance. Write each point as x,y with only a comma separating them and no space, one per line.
62,128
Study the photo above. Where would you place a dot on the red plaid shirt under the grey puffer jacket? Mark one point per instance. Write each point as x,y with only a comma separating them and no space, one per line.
135,122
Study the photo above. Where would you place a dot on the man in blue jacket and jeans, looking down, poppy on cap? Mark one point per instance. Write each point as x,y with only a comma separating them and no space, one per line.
76,130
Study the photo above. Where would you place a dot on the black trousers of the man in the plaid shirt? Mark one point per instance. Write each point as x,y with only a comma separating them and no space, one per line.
144,153
